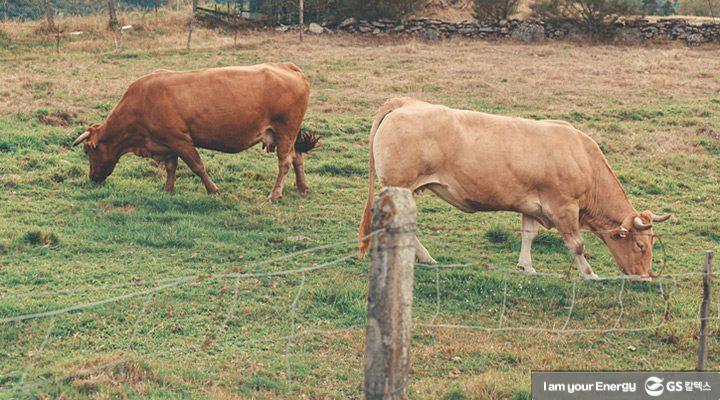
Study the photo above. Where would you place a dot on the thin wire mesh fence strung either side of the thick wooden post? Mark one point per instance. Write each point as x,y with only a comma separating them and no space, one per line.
665,283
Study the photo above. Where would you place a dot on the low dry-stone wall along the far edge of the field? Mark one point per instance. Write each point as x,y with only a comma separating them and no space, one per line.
529,31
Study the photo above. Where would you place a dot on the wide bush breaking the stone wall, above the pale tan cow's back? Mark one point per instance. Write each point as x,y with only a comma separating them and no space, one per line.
597,18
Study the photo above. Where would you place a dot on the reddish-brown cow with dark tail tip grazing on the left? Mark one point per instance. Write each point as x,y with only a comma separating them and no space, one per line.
167,114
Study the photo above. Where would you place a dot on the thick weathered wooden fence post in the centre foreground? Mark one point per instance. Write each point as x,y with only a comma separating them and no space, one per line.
389,309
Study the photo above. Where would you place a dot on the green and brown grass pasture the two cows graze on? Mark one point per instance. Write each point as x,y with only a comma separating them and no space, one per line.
654,110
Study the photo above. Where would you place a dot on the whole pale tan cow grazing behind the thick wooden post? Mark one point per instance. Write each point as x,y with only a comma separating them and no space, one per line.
550,172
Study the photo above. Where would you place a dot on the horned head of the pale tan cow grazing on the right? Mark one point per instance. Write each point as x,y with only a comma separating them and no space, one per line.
631,243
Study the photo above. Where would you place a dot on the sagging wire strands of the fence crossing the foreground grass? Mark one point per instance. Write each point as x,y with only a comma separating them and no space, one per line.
164,284
